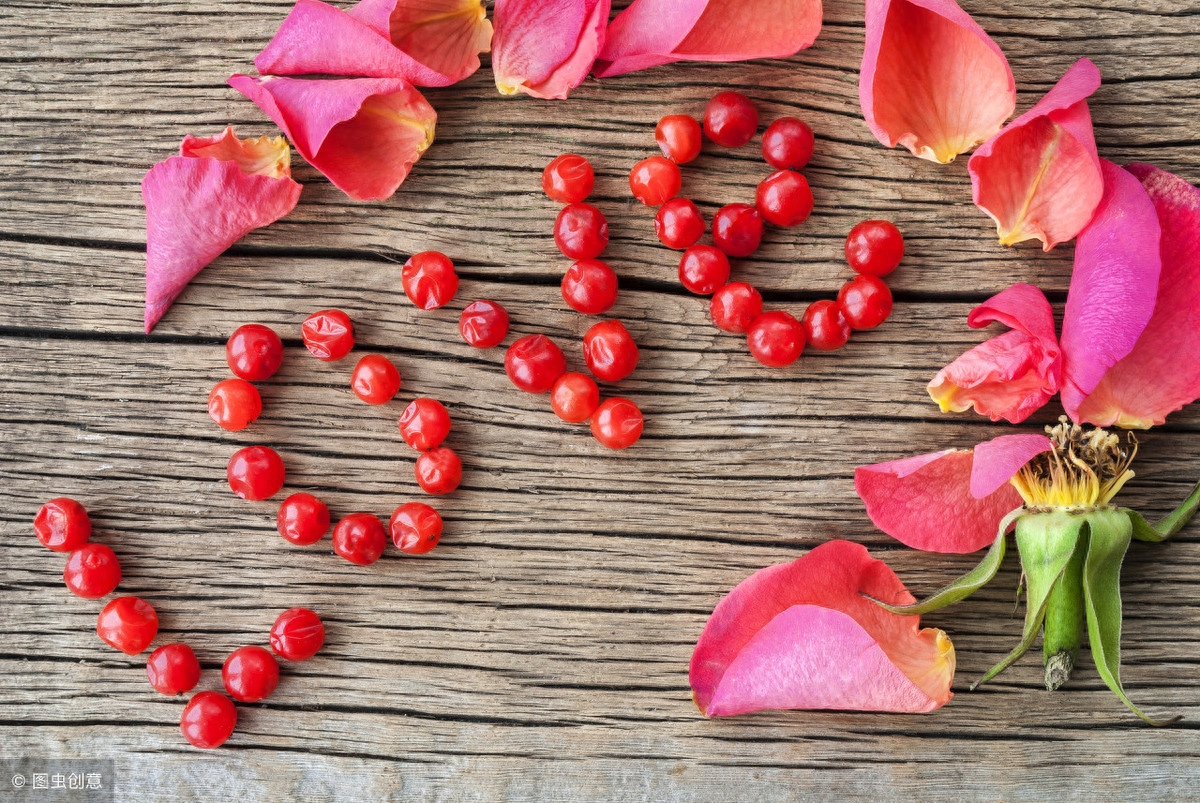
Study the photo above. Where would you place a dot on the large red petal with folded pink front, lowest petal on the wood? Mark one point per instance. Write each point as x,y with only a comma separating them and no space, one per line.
803,636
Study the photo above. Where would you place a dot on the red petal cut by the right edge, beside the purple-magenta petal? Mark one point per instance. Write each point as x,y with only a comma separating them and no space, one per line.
1162,374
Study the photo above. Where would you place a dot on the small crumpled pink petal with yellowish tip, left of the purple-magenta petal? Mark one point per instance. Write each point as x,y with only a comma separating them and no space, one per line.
1011,375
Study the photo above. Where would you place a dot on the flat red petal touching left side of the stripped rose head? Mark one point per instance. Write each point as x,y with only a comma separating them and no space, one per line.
926,502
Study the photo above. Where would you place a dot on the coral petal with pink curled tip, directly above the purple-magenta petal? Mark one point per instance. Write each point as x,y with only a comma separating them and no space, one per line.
1041,178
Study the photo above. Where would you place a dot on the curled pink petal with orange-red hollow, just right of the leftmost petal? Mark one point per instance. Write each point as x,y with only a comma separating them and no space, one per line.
363,134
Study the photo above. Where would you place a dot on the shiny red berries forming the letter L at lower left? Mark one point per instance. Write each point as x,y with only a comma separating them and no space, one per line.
130,625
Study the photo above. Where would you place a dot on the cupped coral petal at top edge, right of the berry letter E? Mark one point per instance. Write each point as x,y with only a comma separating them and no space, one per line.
932,80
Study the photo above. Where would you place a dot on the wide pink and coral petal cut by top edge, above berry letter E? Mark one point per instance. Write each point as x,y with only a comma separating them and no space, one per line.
651,33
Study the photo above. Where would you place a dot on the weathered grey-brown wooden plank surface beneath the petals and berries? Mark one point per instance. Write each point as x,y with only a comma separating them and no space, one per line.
542,651
